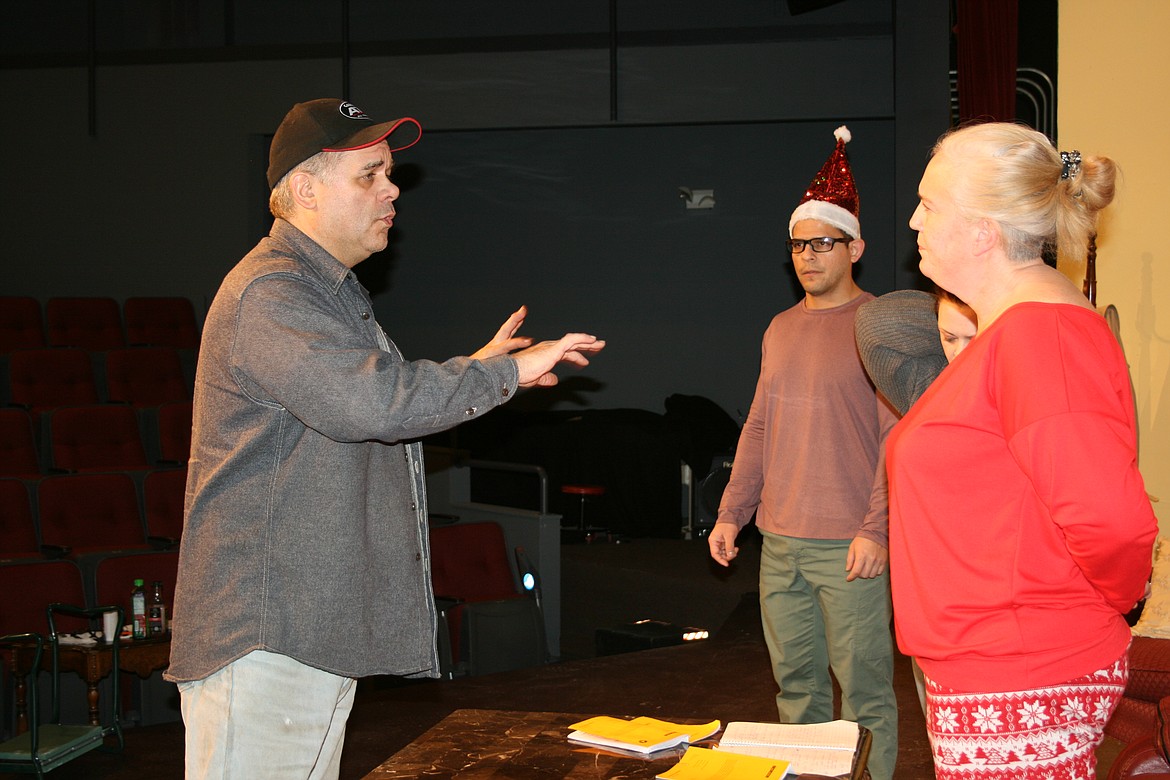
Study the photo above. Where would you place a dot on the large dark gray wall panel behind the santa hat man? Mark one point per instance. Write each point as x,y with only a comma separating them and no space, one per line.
587,227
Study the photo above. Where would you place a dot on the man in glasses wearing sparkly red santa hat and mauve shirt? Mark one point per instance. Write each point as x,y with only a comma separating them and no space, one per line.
808,466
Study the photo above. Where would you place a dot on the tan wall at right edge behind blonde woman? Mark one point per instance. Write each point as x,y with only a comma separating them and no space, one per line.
1114,72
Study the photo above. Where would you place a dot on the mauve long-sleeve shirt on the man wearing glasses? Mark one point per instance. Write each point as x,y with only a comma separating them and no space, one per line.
808,460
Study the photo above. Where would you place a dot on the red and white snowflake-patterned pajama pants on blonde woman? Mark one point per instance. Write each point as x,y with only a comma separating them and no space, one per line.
1048,734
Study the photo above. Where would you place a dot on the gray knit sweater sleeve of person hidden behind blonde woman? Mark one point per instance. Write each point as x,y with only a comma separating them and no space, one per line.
898,339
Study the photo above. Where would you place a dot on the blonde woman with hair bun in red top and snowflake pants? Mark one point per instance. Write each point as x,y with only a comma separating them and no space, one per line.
1021,531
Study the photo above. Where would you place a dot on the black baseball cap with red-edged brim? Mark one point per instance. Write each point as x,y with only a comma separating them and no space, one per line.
331,125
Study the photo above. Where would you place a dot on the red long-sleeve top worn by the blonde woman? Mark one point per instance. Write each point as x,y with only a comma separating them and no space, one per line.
1021,530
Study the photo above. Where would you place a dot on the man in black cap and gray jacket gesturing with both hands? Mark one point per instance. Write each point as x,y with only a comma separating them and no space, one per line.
305,561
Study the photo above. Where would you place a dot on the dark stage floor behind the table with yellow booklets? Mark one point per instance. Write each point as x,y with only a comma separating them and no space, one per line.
604,586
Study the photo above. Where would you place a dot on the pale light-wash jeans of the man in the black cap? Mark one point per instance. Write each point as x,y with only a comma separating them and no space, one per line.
266,716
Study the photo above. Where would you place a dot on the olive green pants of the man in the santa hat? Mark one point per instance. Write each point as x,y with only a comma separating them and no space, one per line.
815,620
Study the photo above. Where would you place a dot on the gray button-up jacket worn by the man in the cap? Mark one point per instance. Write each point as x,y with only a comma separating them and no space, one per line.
306,528
